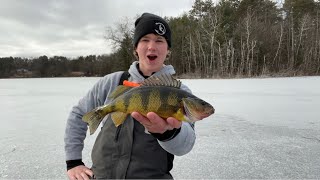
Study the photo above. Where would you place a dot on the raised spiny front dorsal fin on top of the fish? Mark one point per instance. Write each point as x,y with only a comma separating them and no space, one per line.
162,80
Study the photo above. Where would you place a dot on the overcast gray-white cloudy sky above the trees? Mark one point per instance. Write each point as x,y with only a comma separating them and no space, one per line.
71,28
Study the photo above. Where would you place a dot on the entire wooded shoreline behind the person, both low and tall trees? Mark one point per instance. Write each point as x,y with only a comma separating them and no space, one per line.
231,38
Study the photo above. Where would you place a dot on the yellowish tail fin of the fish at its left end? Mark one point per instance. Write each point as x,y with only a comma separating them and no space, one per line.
93,118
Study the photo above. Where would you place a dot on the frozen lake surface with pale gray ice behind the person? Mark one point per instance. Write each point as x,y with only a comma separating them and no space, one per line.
263,128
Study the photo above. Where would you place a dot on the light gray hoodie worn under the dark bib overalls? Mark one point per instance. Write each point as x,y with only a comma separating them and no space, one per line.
76,129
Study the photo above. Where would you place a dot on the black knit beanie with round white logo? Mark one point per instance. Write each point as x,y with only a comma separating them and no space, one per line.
150,23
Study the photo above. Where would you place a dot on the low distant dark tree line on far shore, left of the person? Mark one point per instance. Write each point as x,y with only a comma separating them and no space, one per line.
58,66
